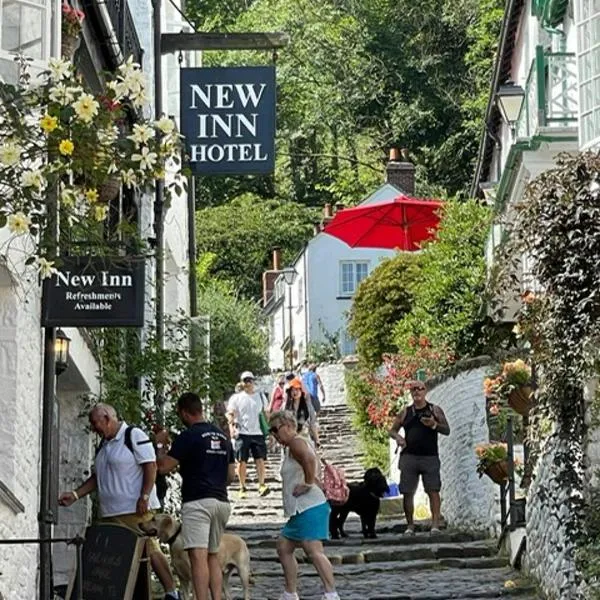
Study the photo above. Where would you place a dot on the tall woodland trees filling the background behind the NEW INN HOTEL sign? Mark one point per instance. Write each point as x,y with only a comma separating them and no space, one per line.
358,78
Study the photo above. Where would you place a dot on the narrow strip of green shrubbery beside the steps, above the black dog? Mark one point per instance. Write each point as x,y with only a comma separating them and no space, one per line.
374,442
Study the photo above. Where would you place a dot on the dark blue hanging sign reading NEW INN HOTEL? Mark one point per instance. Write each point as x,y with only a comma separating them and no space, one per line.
228,119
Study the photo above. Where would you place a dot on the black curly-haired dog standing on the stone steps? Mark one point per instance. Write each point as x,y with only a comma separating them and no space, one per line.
364,499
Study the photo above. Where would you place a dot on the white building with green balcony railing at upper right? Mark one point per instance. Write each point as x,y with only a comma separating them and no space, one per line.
551,57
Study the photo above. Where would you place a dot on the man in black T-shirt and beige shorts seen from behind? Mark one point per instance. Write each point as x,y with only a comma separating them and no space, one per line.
205,458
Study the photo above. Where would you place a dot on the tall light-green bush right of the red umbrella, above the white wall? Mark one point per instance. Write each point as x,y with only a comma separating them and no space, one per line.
447,304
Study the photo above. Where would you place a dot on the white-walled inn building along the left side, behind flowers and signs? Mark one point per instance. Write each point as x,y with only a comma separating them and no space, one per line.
34,29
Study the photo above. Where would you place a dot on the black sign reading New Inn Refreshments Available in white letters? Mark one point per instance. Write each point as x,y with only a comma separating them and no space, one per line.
95,291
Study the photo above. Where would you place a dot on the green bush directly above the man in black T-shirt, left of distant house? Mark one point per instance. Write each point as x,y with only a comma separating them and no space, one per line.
237,341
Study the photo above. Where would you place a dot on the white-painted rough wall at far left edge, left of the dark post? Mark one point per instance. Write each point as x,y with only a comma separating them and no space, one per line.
20,375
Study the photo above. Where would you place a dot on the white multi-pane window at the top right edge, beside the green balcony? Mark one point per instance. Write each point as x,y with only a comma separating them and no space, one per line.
588,60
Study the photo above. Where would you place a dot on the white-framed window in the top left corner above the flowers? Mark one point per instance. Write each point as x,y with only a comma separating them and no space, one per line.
24,28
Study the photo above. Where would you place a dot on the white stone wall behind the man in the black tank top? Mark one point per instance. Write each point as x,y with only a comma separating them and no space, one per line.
468,501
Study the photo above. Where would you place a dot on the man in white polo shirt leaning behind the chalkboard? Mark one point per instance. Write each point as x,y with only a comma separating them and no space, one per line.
124,479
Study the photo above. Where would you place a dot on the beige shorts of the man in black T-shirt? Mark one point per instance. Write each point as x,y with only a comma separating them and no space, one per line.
204,523
